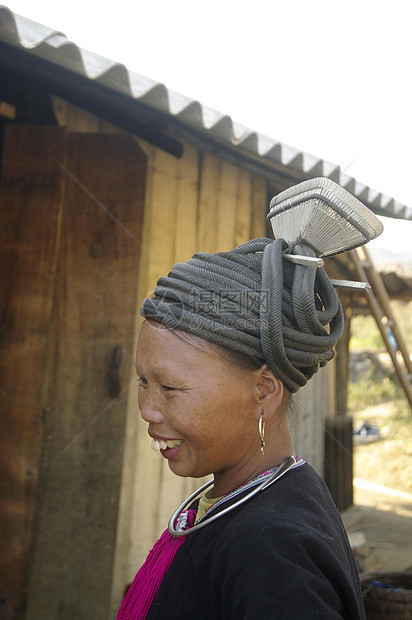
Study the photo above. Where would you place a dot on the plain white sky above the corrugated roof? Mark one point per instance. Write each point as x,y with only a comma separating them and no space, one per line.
329,78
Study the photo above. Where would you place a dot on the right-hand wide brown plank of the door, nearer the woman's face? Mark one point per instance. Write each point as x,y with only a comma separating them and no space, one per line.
87,388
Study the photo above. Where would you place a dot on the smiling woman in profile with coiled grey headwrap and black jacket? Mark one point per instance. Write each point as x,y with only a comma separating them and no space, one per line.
227,340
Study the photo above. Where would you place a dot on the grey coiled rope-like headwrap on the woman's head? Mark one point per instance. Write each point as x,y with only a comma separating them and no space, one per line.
253,301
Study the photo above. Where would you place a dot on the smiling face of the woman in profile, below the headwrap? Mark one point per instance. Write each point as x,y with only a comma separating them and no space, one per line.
201,411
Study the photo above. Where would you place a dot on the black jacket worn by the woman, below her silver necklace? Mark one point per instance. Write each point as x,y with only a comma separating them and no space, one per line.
283,554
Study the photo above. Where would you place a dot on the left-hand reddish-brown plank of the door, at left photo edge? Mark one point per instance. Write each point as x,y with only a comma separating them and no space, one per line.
30,211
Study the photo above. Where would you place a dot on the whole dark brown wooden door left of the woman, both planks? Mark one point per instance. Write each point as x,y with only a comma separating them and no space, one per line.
71,208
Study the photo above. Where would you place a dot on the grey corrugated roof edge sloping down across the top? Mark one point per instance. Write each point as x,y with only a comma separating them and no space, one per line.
54,47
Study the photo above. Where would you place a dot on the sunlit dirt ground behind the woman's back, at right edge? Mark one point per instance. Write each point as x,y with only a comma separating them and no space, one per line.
379,524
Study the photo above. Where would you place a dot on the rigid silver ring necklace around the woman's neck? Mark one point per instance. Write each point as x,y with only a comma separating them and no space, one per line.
181,522
